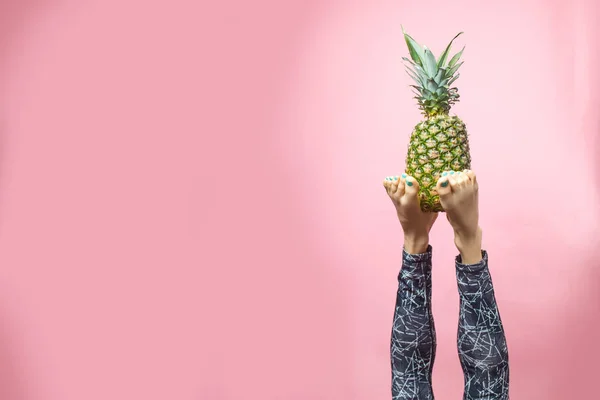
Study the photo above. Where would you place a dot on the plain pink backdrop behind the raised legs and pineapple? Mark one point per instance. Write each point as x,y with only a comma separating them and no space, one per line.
191,202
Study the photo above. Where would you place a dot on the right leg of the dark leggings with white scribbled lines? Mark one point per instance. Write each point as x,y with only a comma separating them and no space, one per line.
481,340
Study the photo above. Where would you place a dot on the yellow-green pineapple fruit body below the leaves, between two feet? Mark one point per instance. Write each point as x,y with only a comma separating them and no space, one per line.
437,144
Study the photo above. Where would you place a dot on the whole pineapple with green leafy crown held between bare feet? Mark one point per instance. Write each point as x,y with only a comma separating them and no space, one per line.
439,142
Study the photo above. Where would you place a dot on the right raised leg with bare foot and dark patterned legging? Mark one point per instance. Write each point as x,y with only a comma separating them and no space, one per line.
482,345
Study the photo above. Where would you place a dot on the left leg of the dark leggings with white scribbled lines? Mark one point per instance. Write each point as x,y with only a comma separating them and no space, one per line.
413,334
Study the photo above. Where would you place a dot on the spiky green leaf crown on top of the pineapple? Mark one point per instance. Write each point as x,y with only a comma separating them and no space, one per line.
433,78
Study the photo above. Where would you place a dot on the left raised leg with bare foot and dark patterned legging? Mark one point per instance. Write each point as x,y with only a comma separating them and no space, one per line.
413,332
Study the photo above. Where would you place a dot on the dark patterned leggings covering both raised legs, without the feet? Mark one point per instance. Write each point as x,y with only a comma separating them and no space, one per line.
481,341
